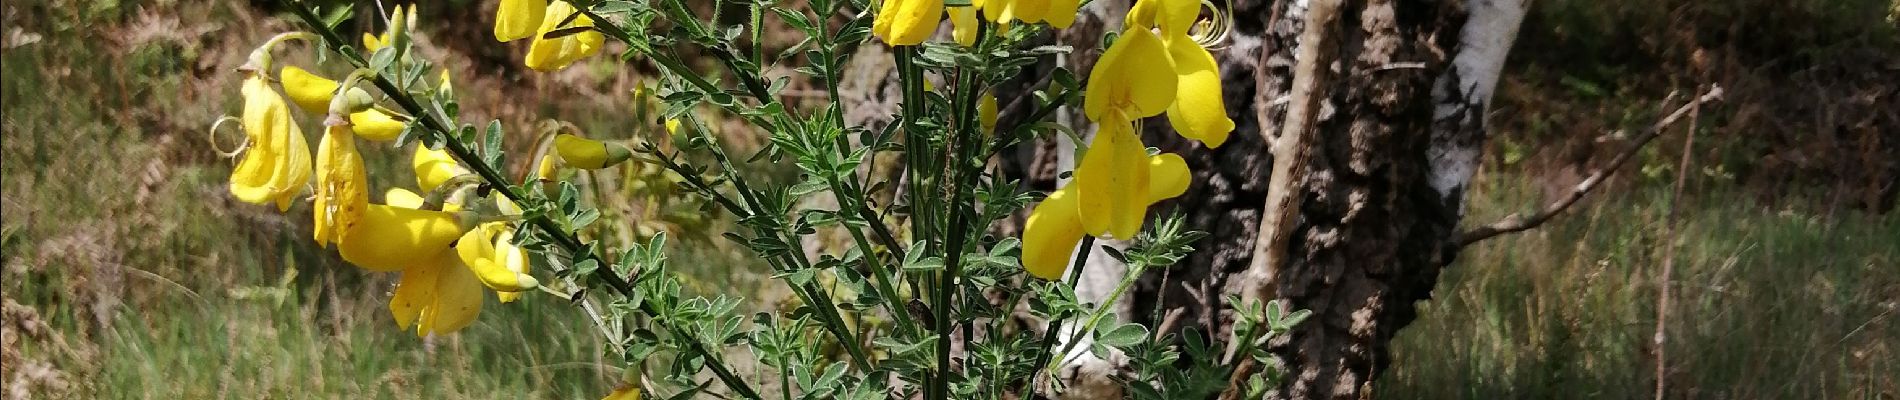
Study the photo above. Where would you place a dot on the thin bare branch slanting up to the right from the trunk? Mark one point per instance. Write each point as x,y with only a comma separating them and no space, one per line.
1517,223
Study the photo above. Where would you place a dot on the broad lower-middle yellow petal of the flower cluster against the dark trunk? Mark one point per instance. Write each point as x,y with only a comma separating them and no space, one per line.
1112,179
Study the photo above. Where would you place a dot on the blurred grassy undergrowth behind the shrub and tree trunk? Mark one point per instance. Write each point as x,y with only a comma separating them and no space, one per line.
130,274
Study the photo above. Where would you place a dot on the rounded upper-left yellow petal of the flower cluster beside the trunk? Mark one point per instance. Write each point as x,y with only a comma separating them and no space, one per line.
1135,77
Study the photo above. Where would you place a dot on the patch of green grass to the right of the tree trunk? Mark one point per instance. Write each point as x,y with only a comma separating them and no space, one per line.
1768,304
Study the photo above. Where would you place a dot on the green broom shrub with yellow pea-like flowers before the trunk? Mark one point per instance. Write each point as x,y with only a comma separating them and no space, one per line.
924,274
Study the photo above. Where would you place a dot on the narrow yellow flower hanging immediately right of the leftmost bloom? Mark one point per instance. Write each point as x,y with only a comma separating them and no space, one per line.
343,187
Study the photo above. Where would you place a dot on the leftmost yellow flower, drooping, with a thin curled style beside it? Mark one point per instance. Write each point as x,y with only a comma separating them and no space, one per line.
278,162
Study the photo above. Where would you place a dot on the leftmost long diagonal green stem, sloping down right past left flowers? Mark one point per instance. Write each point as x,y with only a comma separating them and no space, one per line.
575,247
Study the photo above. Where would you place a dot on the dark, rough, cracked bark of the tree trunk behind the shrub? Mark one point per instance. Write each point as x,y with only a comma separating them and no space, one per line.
1373,230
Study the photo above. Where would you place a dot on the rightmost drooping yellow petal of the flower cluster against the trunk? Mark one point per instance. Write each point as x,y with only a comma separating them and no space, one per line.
1198,111
